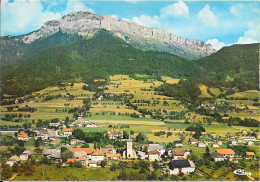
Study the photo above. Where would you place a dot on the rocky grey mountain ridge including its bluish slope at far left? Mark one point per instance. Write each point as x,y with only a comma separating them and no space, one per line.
85,22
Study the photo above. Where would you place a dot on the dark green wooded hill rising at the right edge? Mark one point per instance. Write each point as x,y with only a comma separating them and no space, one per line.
233,66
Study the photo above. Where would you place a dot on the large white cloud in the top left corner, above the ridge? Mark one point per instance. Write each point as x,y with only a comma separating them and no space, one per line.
24,16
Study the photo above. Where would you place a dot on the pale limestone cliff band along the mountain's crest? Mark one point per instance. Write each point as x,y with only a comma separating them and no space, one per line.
141,37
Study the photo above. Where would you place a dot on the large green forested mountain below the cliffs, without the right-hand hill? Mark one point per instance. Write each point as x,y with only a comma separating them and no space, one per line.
88,58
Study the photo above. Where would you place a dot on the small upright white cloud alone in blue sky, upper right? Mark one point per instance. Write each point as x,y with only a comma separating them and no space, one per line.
207,17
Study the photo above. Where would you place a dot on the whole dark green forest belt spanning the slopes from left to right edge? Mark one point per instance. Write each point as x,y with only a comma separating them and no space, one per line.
63,57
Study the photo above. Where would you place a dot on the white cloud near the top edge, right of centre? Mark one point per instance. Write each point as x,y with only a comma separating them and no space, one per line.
176,9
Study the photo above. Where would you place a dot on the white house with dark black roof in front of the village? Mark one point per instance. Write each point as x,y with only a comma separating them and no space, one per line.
185,166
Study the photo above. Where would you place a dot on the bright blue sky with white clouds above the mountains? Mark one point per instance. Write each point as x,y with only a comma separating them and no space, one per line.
219,23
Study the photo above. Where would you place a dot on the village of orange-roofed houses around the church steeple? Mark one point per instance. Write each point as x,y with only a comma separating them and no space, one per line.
175,159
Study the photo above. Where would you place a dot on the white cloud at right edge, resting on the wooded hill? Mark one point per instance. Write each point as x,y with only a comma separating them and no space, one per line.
252,35
